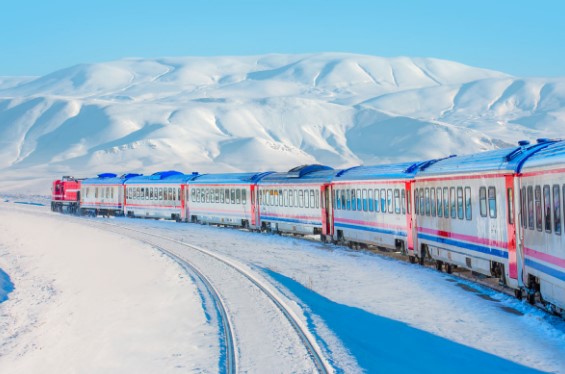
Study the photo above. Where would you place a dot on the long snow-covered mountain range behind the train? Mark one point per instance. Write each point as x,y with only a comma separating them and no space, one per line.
264,112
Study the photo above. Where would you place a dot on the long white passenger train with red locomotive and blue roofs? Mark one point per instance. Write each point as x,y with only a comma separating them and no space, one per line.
497,213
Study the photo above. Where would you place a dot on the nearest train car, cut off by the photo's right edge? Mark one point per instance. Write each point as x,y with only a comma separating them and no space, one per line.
542,191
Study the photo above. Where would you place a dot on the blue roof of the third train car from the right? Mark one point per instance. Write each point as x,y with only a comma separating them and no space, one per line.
404,170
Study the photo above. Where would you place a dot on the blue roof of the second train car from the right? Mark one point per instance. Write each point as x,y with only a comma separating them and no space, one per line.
500,160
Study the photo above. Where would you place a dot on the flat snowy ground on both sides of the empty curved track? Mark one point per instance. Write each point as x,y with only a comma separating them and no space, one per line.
113,304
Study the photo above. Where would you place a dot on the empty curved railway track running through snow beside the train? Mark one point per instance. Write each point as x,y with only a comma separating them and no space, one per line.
172,247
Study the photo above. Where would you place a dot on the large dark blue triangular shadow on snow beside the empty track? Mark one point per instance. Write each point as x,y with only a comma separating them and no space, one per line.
383,345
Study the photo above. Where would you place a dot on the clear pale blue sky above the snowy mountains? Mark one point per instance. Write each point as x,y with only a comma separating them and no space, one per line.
521,37
